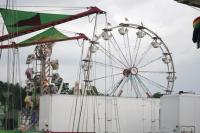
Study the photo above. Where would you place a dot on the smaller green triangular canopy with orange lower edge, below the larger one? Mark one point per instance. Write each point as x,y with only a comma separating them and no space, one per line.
50,35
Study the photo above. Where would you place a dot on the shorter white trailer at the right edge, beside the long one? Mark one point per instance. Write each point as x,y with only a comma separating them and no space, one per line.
180,114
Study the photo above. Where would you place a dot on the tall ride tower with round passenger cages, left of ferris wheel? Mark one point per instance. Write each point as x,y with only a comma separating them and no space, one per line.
42,79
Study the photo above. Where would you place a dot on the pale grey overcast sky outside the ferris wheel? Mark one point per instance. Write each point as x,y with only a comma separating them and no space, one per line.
170,20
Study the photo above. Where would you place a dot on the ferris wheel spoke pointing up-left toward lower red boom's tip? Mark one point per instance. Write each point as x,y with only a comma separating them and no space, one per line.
111,56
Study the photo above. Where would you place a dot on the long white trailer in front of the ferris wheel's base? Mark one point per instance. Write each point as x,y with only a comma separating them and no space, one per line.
59,113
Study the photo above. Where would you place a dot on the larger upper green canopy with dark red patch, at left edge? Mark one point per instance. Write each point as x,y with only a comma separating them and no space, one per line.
17,21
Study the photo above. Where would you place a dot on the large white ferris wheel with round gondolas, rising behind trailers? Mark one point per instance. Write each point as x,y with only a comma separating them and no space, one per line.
129,60
